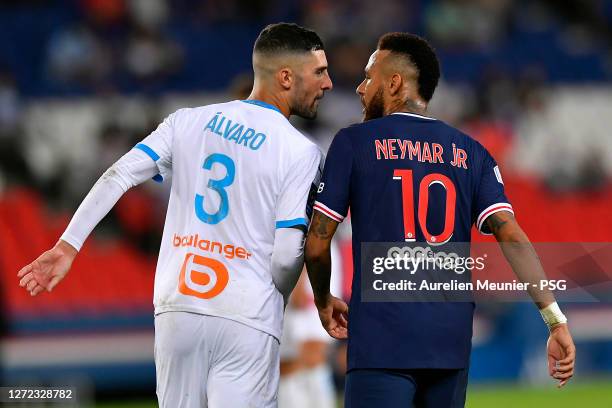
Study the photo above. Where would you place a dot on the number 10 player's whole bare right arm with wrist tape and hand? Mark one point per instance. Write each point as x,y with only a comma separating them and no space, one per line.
526,265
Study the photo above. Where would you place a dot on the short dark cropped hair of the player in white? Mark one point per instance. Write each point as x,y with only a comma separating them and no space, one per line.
287,37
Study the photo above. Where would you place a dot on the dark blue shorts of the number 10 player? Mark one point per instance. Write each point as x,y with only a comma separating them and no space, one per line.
381,388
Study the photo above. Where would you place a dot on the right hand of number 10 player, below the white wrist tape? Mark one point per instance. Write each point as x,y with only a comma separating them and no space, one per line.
561,354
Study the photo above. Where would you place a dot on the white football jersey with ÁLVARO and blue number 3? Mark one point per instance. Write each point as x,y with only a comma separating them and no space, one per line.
239,171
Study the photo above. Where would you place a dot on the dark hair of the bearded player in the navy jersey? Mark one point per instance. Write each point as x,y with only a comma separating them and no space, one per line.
421,55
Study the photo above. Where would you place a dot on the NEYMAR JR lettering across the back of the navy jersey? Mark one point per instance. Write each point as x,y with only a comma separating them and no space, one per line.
401,149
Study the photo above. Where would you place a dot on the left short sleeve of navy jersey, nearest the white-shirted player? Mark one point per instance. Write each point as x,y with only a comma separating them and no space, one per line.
333,192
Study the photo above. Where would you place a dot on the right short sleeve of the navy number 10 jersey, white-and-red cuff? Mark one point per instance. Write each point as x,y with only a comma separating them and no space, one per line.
491,197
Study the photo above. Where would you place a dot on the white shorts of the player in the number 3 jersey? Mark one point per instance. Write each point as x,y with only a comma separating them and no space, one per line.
208,361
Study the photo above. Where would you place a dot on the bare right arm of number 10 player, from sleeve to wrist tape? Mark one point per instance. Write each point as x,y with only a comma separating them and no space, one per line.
521,255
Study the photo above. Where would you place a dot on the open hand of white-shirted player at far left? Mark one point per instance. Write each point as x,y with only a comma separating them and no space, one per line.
48,269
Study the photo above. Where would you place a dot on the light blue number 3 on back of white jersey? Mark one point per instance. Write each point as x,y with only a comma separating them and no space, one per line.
219,187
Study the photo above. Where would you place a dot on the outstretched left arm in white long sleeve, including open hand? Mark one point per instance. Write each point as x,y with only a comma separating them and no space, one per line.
49,269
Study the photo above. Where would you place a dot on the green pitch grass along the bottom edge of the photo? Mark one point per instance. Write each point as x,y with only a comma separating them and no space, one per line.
585,394
